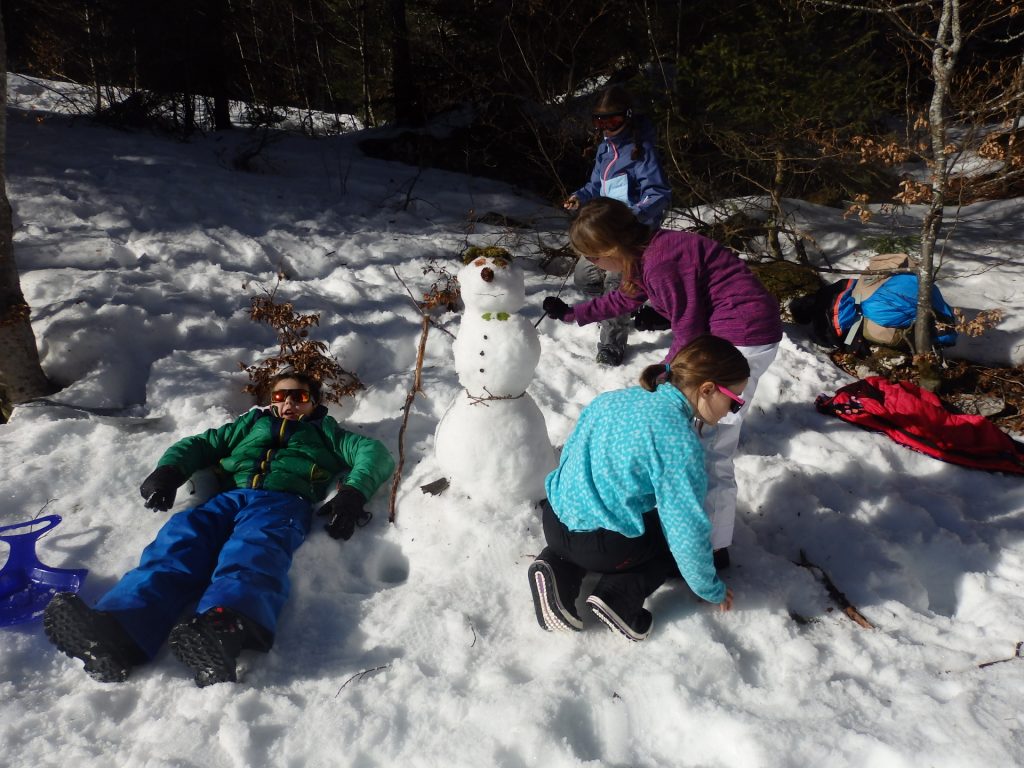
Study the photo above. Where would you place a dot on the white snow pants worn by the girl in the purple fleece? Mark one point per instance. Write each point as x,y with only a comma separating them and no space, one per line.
720,445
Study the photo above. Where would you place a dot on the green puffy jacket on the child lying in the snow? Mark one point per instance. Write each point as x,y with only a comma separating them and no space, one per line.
263,451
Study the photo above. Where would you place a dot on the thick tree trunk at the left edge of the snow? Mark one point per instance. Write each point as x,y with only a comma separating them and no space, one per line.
22,378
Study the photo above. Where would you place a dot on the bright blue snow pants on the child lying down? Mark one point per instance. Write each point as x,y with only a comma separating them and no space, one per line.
235,550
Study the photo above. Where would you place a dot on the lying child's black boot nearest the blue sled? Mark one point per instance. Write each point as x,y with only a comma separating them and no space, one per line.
94,636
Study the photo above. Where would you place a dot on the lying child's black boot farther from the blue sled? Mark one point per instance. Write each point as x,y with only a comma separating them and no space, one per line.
210,645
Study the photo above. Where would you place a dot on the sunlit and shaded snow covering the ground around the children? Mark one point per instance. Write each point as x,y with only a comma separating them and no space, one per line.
415,644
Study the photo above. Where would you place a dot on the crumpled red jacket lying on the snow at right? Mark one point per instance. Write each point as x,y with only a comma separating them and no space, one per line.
916,418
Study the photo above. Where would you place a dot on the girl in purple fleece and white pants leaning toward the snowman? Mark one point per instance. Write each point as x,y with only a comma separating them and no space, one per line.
701,288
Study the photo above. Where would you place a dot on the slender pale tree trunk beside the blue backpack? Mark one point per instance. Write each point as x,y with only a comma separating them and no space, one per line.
946,49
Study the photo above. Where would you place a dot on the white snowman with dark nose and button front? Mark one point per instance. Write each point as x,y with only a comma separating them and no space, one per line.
493,443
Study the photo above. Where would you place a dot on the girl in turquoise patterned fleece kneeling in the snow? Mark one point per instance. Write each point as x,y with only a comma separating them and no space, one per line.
627,499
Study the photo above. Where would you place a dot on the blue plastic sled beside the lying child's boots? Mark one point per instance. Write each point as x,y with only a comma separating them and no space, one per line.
27,585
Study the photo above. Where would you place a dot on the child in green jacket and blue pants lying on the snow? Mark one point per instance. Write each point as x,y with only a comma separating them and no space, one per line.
232,553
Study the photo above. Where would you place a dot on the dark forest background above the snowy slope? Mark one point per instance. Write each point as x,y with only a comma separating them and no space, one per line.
750,98
